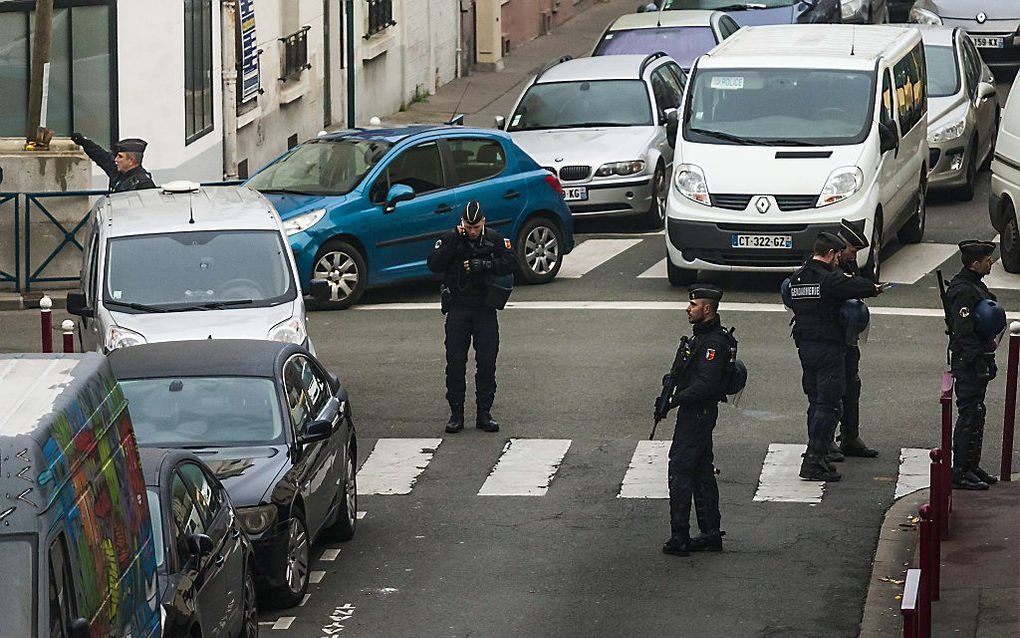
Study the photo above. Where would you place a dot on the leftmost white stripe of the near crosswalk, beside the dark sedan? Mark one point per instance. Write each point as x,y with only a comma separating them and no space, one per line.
394,466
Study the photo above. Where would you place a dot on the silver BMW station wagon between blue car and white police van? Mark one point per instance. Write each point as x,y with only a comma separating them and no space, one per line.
600,125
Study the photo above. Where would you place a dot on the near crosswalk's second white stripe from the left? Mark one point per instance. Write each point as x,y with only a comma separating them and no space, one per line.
526,468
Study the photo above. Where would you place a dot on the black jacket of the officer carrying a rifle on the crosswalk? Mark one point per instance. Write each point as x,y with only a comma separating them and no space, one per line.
704,367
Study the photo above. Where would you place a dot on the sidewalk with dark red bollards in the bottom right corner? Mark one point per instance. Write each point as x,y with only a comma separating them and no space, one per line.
980,569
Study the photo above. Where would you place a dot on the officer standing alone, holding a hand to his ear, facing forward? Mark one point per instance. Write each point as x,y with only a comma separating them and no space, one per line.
466,257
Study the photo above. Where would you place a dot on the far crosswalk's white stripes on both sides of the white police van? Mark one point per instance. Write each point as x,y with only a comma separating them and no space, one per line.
905,265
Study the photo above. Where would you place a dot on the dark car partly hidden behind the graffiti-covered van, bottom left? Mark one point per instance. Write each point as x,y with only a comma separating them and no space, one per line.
205,563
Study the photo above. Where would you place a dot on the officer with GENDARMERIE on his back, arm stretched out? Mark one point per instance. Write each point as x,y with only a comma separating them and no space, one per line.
818,292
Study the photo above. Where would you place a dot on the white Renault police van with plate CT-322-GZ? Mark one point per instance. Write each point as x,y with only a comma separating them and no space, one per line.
788,130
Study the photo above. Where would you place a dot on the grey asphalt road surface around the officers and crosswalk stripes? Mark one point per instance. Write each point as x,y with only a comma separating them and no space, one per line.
579,561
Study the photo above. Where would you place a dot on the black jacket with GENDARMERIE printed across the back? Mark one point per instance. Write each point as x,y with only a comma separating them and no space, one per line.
819,291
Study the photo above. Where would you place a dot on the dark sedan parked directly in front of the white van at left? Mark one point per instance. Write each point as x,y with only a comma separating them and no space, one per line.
274,426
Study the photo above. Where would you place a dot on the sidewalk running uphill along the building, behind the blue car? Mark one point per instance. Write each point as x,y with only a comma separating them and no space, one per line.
484,95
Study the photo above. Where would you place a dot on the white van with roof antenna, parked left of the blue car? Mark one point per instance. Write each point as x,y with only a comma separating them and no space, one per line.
186,263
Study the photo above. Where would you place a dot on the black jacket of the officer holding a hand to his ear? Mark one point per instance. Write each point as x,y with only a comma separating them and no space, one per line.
491,250
